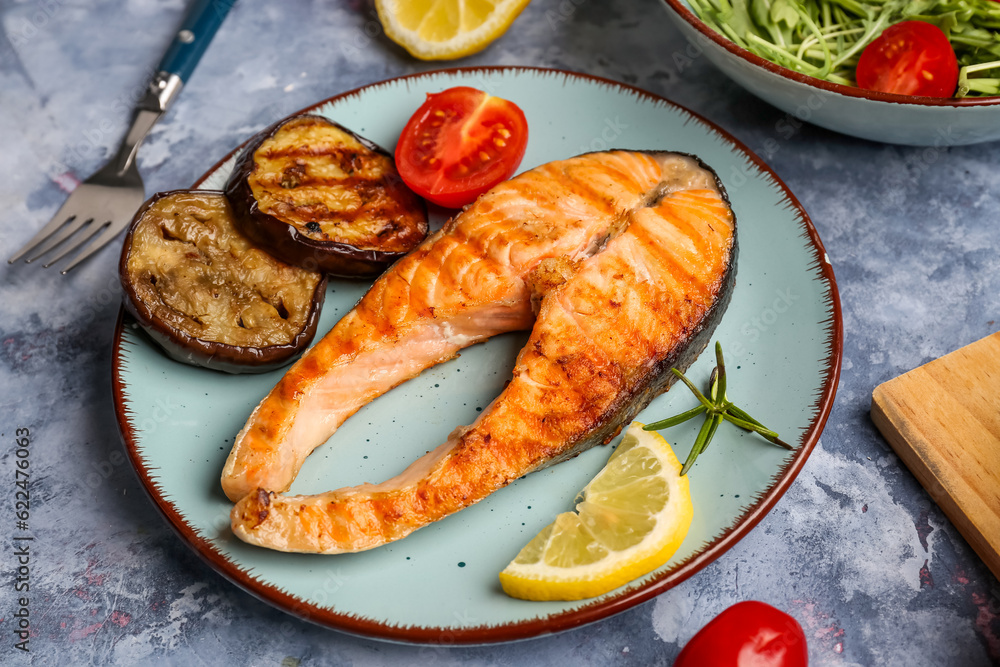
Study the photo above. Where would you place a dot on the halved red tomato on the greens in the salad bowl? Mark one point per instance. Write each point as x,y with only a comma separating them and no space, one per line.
910,58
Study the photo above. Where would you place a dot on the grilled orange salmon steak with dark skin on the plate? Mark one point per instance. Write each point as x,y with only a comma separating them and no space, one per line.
621,263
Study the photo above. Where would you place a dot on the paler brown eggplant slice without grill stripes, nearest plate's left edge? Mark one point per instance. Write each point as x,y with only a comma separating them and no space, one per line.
207,295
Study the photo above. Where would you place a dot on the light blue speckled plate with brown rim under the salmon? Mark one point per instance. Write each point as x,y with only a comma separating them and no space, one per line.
782,333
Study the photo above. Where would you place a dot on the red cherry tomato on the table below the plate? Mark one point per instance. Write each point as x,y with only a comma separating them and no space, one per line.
748,634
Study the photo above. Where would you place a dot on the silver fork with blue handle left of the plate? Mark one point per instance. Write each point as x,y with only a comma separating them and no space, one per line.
103,205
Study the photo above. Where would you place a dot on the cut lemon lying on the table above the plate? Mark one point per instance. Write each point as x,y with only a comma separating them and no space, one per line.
446,29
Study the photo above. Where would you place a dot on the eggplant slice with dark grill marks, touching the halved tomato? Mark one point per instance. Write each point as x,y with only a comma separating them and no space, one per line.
321,197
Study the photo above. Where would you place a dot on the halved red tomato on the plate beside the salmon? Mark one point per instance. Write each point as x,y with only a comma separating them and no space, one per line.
459,144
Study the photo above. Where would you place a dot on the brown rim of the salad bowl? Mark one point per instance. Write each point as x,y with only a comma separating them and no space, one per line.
850,91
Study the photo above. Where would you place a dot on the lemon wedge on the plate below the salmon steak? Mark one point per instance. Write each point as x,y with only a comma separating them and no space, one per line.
632,517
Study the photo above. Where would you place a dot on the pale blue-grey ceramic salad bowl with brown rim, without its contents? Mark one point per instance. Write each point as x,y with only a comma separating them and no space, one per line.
897,119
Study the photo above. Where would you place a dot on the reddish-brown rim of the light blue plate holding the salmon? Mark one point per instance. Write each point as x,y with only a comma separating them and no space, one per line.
601,608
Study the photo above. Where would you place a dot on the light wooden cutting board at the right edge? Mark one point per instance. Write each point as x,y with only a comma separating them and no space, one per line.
943,420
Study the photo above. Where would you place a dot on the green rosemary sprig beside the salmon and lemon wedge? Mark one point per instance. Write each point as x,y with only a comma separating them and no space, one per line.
717,408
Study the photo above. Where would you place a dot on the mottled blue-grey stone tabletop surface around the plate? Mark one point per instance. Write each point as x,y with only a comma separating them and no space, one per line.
856,550
